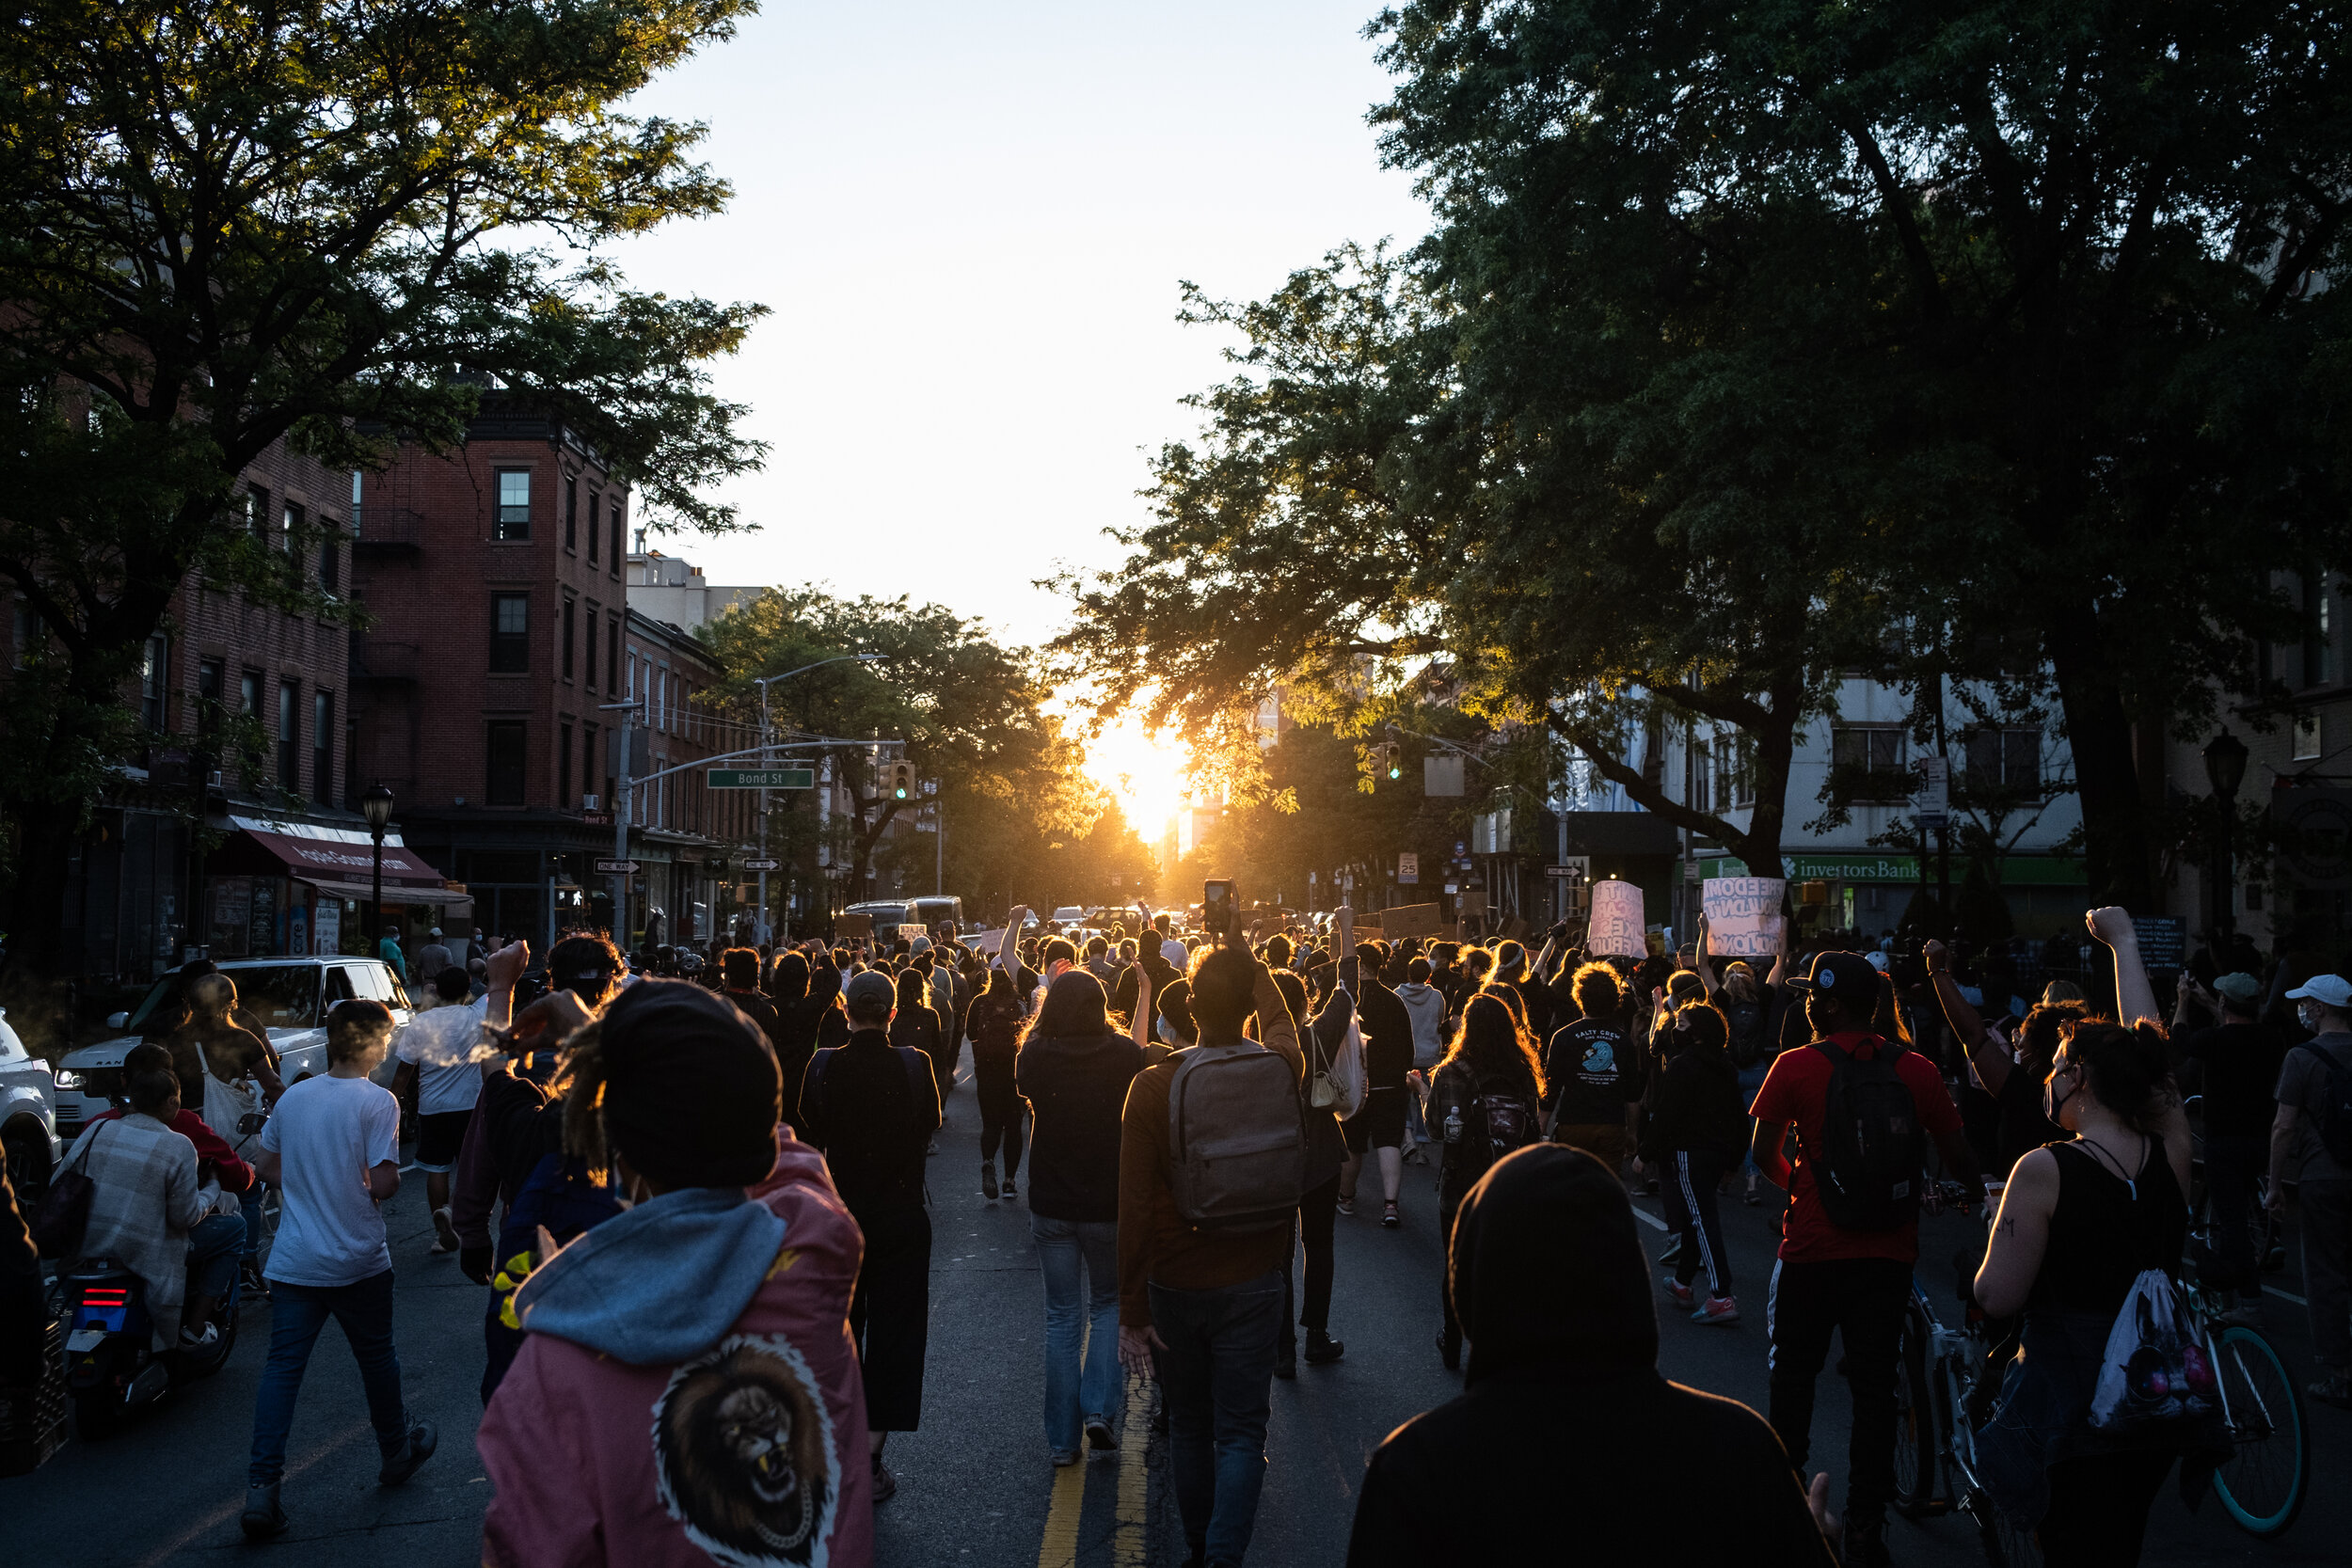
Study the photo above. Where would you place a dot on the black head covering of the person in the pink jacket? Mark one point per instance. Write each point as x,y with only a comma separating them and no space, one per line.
693,1094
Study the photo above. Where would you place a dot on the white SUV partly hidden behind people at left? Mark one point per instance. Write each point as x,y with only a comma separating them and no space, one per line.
290,998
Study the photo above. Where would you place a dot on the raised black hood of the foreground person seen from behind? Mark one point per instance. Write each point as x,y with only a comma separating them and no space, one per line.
1549,1271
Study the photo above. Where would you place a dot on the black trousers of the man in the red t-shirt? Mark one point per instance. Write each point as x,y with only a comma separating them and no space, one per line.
1862,1301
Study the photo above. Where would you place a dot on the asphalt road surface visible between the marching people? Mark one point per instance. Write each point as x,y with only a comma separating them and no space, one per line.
975,1485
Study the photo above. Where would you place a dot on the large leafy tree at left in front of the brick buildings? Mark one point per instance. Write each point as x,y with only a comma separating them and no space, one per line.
236,227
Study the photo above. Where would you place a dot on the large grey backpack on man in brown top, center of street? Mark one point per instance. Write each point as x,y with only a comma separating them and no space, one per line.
1238,1139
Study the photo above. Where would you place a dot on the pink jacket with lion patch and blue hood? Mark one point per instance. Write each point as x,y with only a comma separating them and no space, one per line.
723,1315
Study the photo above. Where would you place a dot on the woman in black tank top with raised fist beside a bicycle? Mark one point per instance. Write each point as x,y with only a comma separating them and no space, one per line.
2080,1224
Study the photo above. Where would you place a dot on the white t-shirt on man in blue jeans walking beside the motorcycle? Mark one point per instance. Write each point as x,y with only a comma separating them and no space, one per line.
330,1134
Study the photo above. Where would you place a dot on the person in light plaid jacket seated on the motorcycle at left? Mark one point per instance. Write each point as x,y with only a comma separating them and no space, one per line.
156,1200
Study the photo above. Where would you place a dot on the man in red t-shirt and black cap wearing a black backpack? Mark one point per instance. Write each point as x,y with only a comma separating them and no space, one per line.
1852,1228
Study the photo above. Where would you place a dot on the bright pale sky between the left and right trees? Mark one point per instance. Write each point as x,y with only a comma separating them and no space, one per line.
970,225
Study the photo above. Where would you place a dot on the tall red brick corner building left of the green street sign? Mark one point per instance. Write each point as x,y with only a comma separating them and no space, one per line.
500,638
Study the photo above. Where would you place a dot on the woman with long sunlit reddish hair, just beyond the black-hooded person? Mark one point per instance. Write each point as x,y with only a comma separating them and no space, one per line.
1483,1101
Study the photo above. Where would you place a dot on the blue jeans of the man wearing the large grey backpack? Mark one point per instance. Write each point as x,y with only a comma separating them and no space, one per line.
1217,1379
